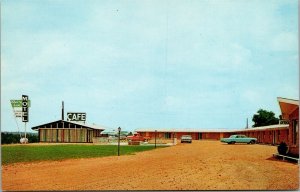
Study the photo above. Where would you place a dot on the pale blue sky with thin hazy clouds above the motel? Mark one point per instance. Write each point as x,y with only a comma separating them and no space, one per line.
158,64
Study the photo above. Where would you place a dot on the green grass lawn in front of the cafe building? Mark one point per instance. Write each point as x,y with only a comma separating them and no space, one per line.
23,153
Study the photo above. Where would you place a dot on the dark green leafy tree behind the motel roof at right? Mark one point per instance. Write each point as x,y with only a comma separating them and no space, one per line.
264,118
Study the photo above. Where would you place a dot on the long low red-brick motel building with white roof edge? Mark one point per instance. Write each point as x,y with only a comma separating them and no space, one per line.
286,131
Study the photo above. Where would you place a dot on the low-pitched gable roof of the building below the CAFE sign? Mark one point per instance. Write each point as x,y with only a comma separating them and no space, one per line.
67,123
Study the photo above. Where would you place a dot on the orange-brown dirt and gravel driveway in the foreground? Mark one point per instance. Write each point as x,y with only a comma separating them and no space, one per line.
202,165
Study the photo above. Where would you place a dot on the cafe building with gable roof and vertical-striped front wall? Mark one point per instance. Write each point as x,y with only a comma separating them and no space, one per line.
67,132
